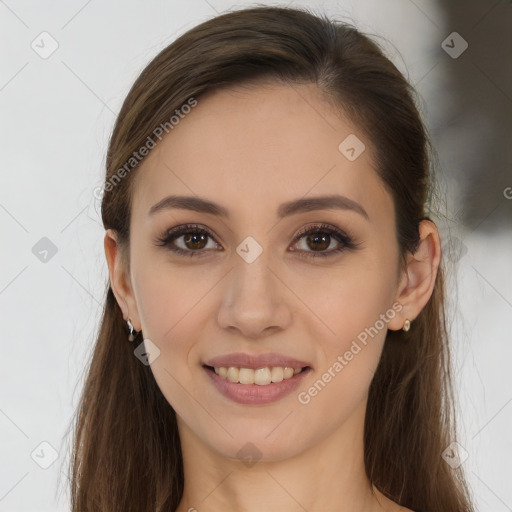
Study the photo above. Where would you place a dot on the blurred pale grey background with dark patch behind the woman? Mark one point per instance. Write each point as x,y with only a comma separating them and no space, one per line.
66,68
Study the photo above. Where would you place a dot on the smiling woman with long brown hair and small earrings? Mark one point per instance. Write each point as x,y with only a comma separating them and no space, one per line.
273,336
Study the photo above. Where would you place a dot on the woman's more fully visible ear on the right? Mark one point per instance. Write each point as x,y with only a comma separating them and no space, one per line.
419,276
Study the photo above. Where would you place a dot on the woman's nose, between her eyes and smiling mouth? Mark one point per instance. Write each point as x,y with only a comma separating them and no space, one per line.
255,300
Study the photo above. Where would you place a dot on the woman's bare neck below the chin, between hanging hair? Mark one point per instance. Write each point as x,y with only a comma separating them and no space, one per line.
329,475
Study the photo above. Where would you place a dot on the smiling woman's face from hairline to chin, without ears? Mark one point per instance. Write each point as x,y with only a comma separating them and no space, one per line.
250,288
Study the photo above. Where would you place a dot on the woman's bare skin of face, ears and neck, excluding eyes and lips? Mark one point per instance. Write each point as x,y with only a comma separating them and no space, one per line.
251,149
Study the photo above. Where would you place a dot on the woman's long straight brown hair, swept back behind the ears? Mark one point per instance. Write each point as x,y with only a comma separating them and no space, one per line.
126,447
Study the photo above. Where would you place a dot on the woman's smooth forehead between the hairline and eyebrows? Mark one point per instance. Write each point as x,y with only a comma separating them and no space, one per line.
252,148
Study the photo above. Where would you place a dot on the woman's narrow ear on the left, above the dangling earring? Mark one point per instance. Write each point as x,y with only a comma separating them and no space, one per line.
120,280
